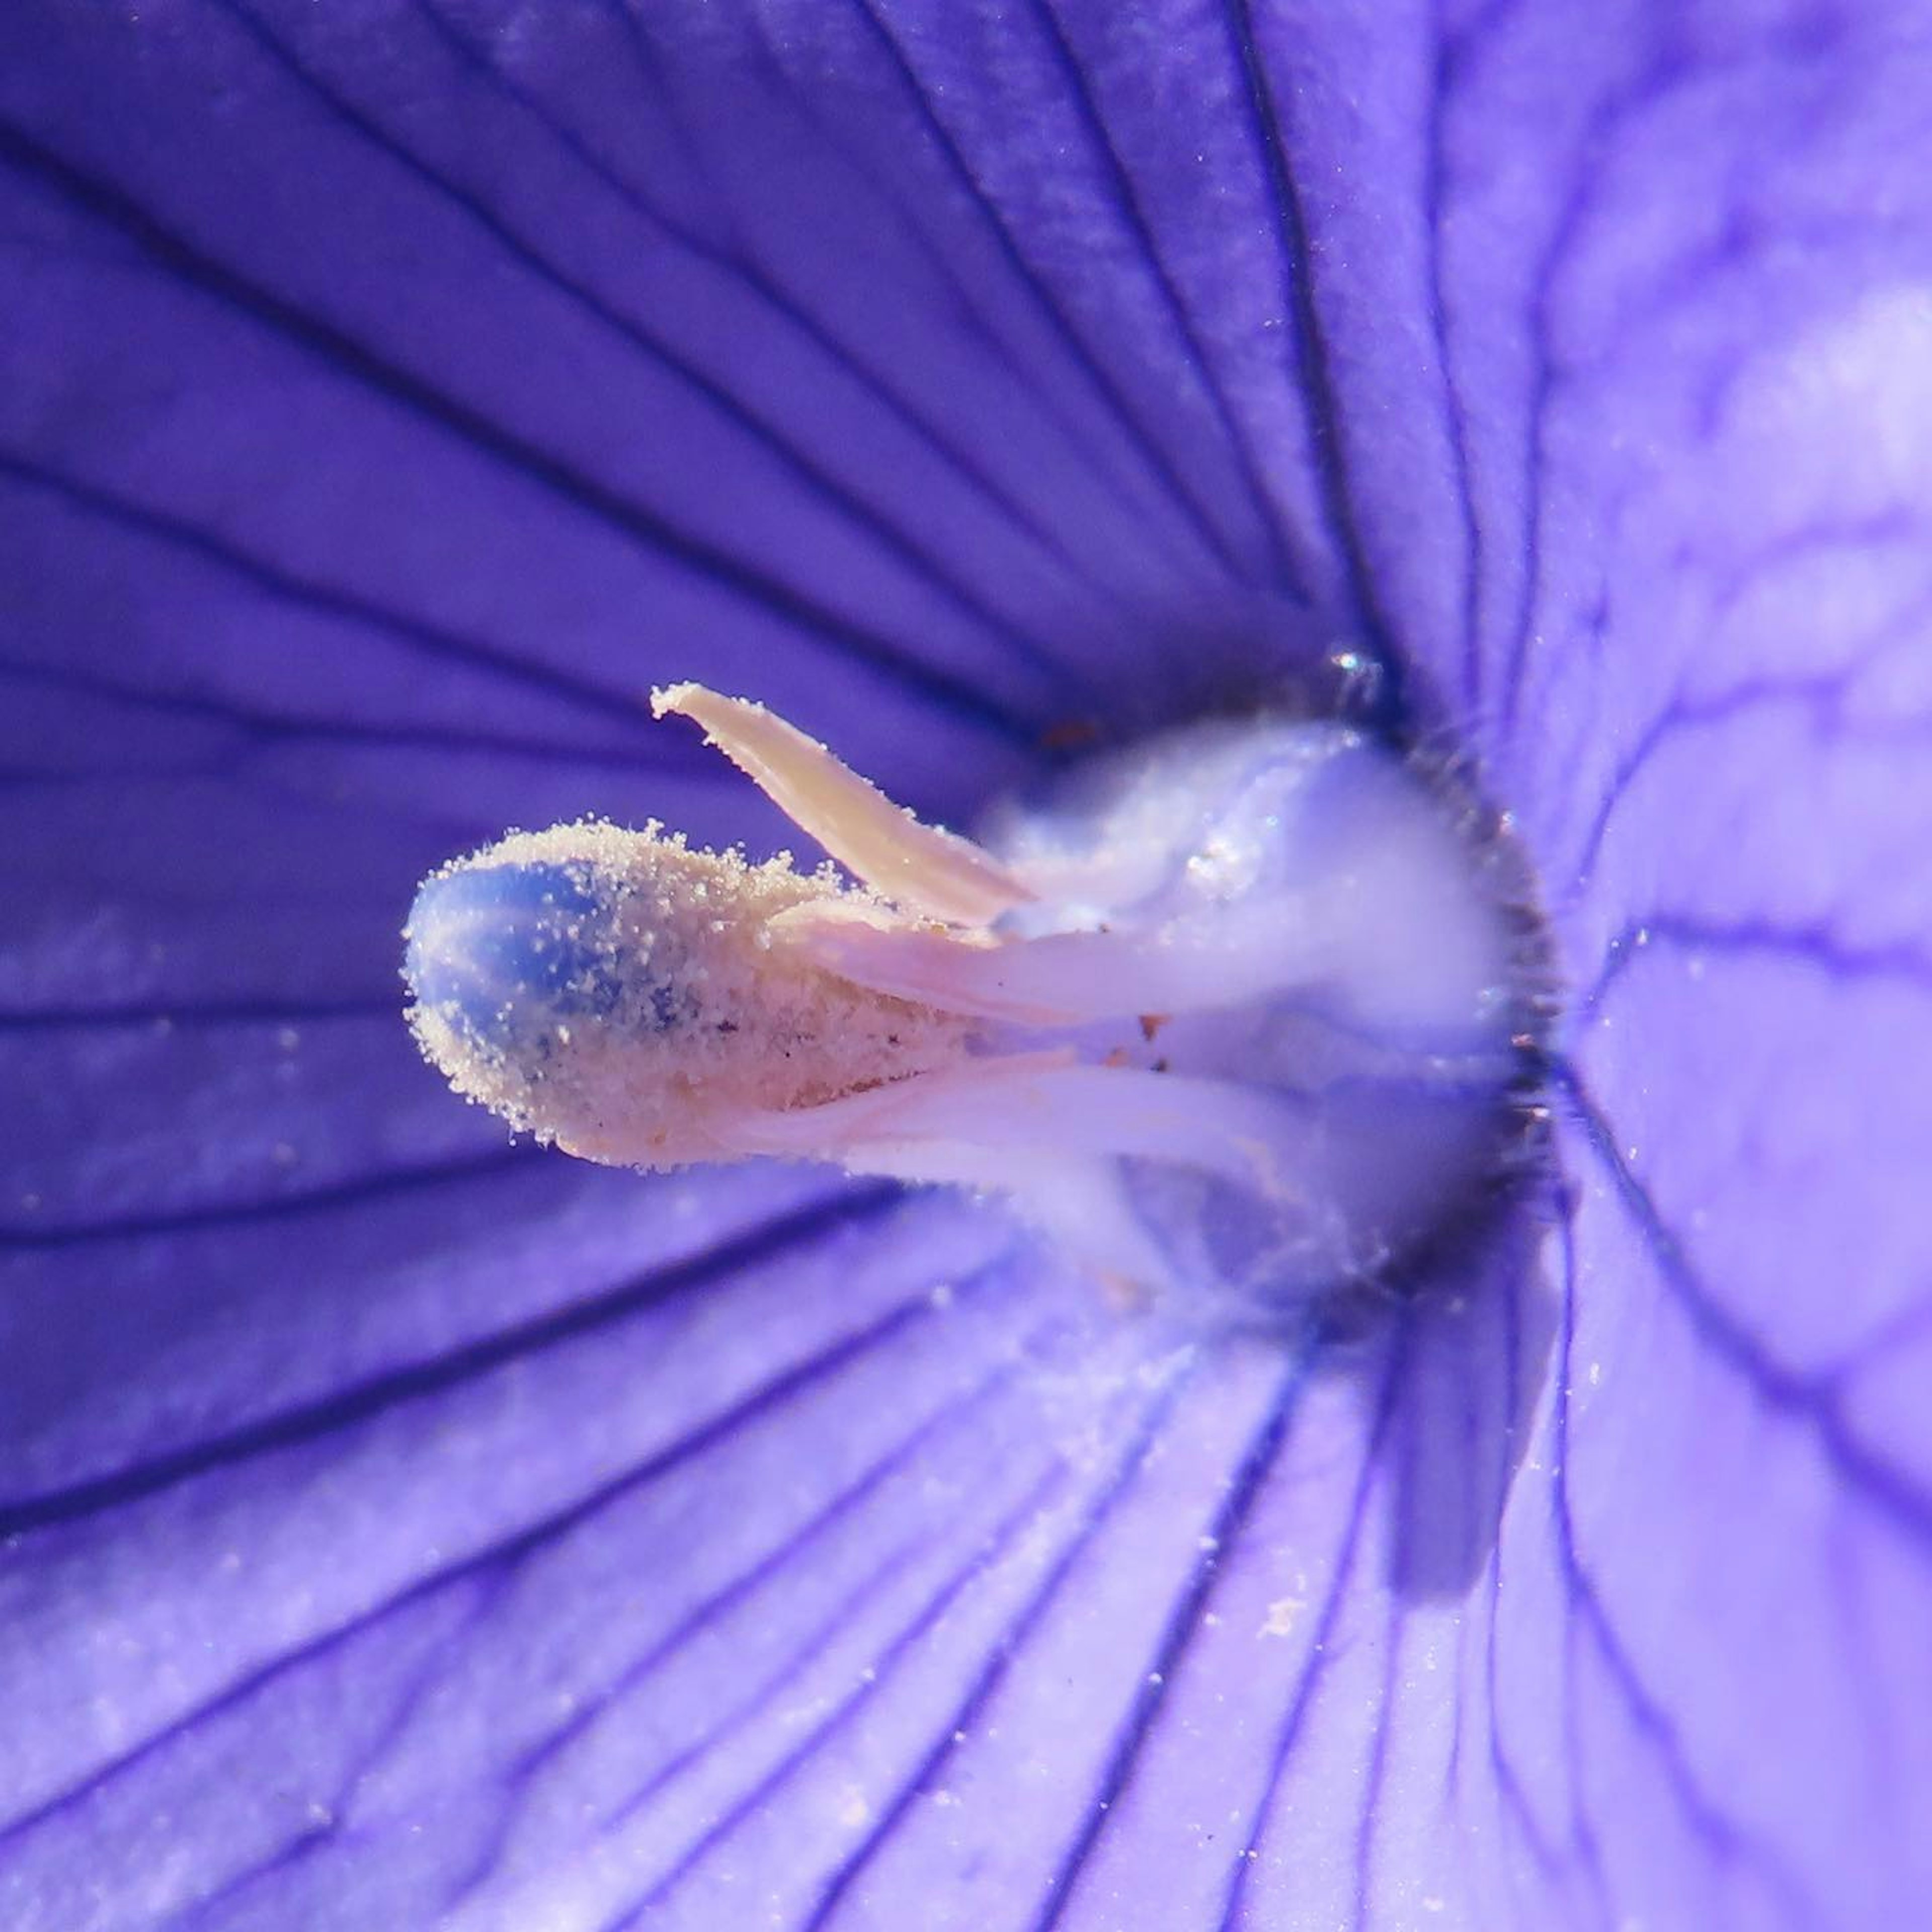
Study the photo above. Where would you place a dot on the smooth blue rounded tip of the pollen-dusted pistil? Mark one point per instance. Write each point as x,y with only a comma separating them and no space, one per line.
501,952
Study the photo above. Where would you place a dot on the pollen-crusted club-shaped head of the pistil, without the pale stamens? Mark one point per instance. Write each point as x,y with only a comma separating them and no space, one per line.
619,994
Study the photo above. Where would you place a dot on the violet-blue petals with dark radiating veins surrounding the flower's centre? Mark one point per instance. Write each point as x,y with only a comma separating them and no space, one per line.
401,1529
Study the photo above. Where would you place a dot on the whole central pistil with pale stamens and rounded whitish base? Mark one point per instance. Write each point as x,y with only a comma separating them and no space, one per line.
1241,1008
